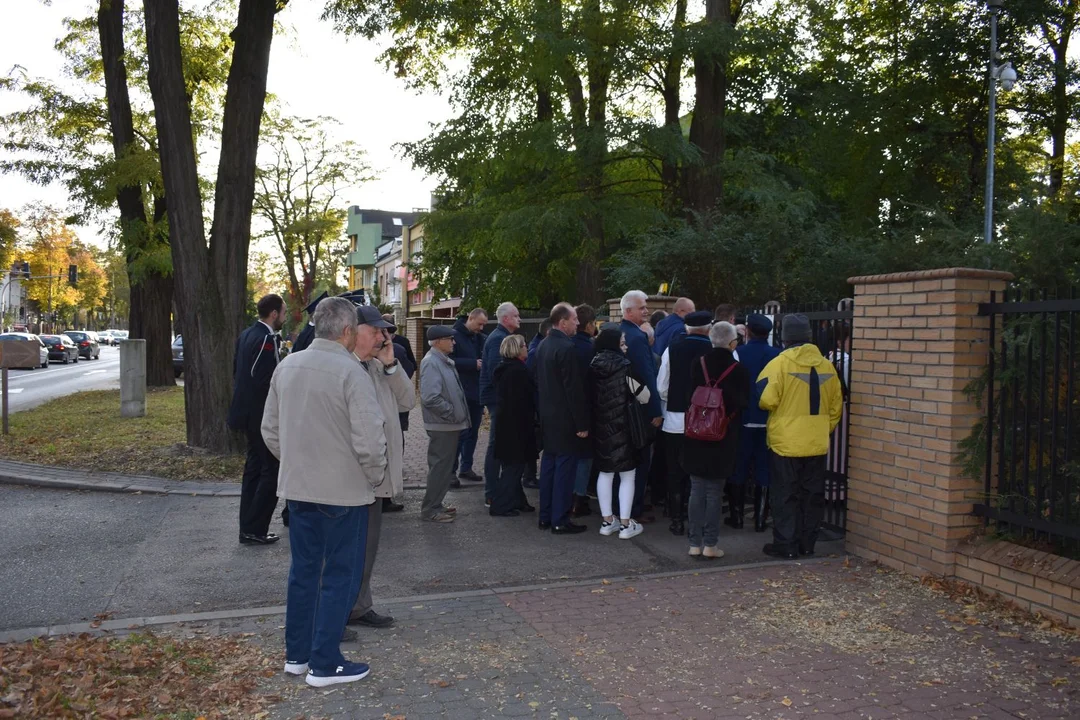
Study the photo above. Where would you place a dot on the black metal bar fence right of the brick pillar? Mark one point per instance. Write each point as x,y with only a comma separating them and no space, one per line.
1032,473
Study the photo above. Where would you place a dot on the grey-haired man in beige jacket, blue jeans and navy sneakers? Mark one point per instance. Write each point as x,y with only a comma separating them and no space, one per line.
325,422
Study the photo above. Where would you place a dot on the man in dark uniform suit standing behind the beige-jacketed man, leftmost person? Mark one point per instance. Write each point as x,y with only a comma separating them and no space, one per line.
254,363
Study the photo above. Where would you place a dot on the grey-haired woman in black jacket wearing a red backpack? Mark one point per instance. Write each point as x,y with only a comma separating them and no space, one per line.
721,392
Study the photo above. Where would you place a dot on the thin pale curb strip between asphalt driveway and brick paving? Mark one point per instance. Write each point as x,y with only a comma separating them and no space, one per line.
21,635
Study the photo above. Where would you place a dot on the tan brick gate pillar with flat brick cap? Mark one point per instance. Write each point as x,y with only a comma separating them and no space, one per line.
919,341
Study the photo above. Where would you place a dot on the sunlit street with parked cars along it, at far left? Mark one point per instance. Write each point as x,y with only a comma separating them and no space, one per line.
29,389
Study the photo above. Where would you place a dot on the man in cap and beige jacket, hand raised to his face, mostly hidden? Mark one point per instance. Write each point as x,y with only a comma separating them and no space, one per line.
397,396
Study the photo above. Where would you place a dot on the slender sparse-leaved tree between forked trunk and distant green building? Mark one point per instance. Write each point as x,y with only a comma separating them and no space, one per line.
299,189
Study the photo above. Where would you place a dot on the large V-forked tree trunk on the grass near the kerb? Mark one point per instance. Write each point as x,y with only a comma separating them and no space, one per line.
211,275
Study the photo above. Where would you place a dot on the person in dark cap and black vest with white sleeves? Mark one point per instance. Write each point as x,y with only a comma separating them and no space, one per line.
676,390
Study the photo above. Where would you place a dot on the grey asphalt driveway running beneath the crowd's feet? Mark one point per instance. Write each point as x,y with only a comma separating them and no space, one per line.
71,555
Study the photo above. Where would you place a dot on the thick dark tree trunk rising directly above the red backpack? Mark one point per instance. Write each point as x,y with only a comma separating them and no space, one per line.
705,181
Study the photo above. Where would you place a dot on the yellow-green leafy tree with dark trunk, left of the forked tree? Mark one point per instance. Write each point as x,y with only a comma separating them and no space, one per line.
90,135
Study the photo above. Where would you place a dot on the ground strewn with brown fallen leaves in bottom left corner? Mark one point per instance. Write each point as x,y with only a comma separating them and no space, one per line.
143,676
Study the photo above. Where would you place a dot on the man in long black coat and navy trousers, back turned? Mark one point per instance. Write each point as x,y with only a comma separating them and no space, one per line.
564,420
